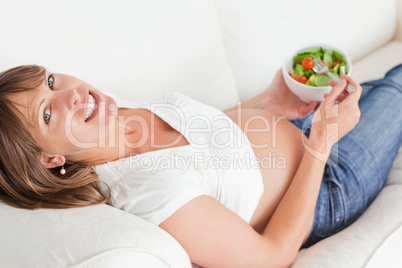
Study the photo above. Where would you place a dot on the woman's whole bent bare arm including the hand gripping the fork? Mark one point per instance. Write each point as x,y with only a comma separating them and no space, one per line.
214,236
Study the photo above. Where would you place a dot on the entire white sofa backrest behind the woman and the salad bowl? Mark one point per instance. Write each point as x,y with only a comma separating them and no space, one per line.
215,51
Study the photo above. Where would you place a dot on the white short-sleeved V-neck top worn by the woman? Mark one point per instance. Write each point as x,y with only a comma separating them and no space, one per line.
218,162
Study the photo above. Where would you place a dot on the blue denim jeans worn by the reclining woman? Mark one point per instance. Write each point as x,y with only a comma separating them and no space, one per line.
360,162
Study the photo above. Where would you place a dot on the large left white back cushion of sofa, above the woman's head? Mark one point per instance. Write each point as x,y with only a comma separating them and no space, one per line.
135,49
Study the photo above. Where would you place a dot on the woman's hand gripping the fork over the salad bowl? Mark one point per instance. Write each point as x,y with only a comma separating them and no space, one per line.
338,114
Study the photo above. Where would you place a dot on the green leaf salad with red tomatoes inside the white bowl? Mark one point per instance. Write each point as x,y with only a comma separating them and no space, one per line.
302,70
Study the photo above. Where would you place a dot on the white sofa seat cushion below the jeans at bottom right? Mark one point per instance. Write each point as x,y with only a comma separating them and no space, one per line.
364,242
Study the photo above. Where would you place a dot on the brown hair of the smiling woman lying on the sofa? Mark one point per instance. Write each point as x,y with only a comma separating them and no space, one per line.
24,181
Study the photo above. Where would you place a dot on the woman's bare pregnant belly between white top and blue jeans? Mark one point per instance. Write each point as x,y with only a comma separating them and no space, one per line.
277,143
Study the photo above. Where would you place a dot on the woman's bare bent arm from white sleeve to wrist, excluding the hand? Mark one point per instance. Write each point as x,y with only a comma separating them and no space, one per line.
213,236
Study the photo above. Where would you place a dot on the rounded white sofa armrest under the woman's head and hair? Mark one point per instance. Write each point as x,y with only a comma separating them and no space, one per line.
94,236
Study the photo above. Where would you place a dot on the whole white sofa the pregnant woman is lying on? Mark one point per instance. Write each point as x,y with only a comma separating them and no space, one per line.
217,52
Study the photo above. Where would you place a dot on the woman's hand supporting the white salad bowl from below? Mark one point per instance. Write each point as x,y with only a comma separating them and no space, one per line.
279,99
